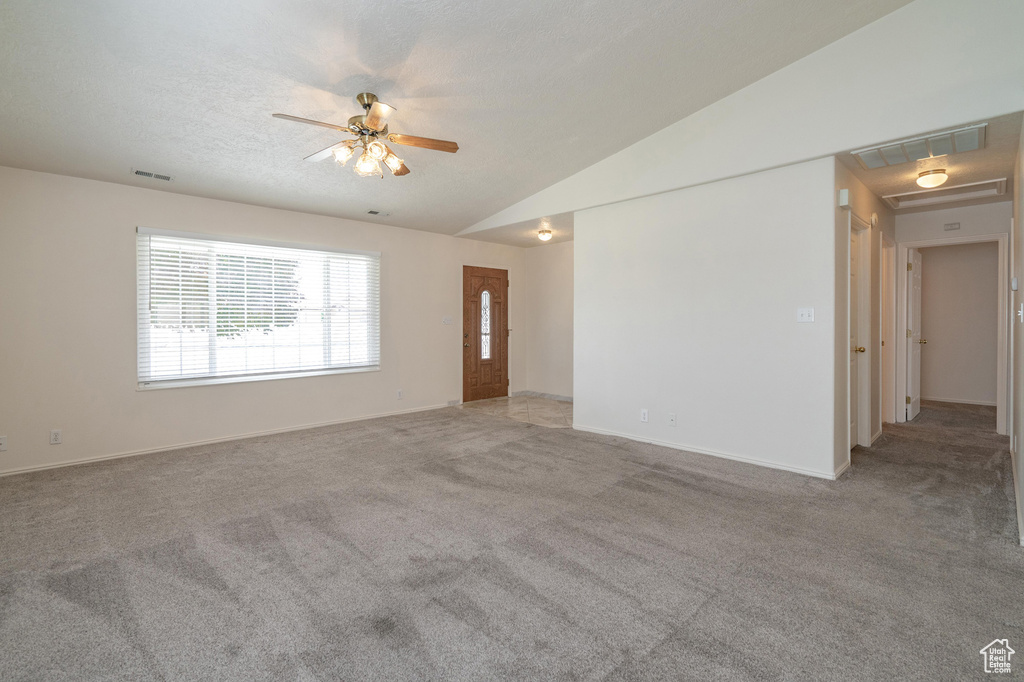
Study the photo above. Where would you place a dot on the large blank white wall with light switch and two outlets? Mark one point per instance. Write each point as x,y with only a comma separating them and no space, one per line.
687,303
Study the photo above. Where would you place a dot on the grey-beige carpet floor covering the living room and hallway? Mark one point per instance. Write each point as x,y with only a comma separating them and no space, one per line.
451,545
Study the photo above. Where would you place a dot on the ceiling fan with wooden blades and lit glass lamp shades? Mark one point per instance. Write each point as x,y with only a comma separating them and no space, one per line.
370,131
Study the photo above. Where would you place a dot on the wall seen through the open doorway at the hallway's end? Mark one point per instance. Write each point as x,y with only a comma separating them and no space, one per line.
959,320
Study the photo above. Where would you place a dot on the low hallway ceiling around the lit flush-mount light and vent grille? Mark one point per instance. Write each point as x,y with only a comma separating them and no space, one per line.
995,161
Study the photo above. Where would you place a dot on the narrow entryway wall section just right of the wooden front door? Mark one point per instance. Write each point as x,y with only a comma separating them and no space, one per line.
549,326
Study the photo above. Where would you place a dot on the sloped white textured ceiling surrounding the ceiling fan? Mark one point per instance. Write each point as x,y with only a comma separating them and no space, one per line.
533,92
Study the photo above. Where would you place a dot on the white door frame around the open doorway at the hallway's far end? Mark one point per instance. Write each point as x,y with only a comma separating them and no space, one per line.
1003,313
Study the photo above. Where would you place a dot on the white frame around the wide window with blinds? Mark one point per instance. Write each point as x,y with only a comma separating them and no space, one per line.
158,385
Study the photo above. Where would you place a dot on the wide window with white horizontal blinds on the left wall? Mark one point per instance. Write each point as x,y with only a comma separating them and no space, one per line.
212,311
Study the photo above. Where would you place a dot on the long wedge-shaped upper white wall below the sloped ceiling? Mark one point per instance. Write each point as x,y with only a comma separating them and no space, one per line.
869,88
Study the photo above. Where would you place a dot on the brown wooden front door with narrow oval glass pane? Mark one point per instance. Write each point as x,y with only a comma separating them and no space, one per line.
485,333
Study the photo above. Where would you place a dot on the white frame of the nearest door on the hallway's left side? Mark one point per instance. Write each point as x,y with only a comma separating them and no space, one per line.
866,389
